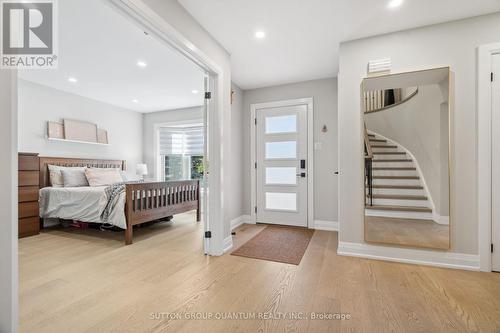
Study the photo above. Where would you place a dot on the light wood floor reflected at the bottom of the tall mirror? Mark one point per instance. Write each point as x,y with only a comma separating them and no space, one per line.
407,232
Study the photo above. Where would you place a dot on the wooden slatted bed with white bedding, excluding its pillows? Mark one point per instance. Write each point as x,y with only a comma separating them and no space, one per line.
138,203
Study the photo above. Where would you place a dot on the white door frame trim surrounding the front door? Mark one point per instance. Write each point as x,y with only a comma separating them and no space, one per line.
310,153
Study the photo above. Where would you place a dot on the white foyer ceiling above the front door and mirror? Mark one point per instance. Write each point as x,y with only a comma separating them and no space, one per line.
303,36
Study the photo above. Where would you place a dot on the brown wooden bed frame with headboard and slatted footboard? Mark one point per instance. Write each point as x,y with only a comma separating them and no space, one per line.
146,201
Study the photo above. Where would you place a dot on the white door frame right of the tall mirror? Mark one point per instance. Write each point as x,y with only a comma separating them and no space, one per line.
484,144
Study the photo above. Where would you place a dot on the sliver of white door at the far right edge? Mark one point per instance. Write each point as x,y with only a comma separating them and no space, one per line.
495,167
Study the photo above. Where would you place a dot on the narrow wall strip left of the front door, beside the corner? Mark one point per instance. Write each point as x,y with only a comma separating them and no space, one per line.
237,155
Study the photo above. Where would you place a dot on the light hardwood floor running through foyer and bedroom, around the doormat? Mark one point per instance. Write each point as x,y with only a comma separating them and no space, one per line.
87,281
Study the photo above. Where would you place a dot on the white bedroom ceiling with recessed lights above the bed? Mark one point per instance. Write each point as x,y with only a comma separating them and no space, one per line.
100,48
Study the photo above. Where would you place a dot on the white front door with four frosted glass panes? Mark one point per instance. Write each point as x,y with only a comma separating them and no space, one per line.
281,156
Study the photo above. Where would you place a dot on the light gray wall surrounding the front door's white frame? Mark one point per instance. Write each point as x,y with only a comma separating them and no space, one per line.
324,93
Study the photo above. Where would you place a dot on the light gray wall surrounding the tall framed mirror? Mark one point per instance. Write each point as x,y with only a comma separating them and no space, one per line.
452,44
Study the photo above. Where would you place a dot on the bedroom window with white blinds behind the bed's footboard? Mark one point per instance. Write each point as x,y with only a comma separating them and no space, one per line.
181,152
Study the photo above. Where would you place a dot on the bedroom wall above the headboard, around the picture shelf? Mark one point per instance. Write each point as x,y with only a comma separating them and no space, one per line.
38,104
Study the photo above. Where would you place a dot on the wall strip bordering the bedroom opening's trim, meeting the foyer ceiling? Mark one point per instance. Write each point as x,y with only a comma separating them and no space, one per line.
178,18
